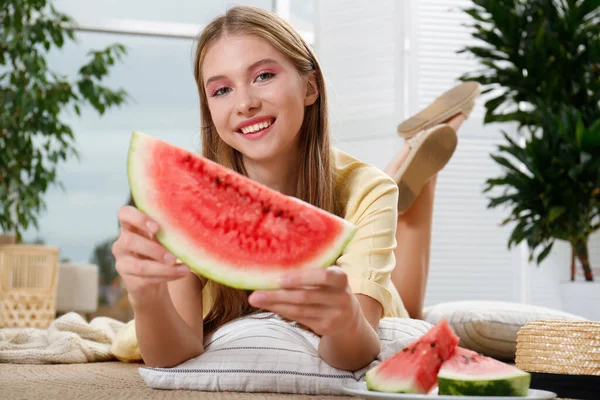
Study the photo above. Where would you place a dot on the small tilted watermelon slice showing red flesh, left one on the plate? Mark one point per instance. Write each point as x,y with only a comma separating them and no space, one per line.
414,369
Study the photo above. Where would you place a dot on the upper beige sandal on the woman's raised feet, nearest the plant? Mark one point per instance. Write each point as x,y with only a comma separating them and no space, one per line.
460,98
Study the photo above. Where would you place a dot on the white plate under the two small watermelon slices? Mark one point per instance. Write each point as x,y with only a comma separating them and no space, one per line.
360,389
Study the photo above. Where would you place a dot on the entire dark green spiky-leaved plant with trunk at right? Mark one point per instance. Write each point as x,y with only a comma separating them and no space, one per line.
540,63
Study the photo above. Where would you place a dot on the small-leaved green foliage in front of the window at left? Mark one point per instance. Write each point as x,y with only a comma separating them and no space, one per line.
34,140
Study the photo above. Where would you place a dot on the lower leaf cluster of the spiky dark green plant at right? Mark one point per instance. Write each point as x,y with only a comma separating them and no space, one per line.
551,182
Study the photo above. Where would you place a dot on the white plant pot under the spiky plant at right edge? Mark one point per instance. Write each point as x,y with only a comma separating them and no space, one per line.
581,298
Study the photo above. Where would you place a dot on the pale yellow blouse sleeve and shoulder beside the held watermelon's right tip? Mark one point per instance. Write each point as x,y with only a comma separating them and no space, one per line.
371,199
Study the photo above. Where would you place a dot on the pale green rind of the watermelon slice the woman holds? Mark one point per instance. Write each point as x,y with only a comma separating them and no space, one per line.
201,262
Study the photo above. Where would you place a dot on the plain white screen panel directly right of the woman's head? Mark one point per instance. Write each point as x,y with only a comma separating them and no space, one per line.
360,48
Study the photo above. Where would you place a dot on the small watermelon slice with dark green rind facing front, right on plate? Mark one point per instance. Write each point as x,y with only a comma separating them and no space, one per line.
468,373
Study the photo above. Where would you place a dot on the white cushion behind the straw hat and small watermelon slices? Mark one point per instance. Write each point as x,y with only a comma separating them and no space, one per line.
490,327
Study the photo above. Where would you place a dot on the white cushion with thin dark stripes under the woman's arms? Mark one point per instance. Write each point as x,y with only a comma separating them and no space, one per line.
264,353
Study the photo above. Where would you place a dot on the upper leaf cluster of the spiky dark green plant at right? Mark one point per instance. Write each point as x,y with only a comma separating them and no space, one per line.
537,50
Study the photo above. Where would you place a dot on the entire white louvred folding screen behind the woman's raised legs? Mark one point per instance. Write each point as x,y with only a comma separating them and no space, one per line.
387,60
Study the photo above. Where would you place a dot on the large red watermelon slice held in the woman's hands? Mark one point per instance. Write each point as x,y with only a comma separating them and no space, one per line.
225,226
